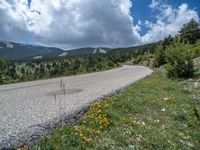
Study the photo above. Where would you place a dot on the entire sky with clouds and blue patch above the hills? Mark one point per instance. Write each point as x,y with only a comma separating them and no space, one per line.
92,23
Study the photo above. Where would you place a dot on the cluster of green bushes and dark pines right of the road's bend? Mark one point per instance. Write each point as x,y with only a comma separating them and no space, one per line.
176,54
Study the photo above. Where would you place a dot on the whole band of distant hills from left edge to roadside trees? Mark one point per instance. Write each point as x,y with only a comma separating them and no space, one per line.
17,51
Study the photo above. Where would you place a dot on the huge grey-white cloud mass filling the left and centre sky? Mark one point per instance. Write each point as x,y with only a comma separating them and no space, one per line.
69,23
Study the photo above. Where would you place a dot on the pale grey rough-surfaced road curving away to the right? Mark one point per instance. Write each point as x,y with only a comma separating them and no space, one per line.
27,110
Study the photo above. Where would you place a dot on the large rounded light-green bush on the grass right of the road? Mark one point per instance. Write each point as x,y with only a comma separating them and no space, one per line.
180,62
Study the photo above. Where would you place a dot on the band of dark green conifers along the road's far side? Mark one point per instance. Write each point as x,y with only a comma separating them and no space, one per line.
26,70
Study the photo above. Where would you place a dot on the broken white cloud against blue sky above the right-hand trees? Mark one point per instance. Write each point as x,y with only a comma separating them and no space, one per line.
169,20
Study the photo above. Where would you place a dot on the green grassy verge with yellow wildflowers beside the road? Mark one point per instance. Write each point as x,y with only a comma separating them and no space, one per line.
155,113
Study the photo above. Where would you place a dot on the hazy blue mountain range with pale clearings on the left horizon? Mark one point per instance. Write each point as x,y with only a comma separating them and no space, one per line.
16,51
